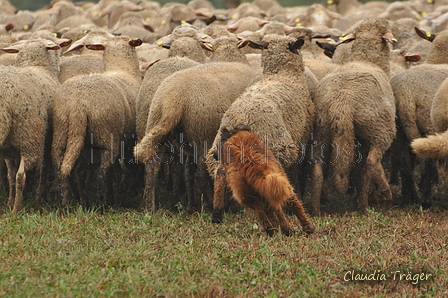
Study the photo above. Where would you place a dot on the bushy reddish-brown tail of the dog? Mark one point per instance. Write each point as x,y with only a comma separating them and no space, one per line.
275,187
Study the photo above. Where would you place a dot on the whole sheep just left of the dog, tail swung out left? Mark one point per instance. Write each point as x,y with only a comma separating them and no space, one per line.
182,98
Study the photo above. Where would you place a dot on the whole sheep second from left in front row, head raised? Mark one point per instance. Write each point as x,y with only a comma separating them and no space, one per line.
99,107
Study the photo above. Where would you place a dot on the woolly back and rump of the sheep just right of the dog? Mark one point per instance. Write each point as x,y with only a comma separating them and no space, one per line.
364,96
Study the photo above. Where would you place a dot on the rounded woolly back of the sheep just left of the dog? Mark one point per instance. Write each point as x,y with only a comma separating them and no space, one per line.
203,93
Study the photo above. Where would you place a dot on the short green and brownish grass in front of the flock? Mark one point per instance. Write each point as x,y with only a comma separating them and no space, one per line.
127,253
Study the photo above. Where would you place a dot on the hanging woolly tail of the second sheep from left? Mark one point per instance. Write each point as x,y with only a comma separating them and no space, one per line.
75,140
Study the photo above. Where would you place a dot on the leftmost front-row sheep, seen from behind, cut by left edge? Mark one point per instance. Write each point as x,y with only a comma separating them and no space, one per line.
25,100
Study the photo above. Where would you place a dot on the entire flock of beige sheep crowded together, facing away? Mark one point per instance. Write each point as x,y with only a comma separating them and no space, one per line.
333,89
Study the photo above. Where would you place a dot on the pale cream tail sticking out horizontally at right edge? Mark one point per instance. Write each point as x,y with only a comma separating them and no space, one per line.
434,146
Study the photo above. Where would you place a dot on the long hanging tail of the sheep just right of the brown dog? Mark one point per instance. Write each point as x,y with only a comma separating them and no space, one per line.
342,157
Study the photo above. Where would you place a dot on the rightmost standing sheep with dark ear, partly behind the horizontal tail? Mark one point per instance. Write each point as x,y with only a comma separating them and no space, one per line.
414,90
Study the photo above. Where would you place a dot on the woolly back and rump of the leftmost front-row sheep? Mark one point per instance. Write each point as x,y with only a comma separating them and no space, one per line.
25,99
